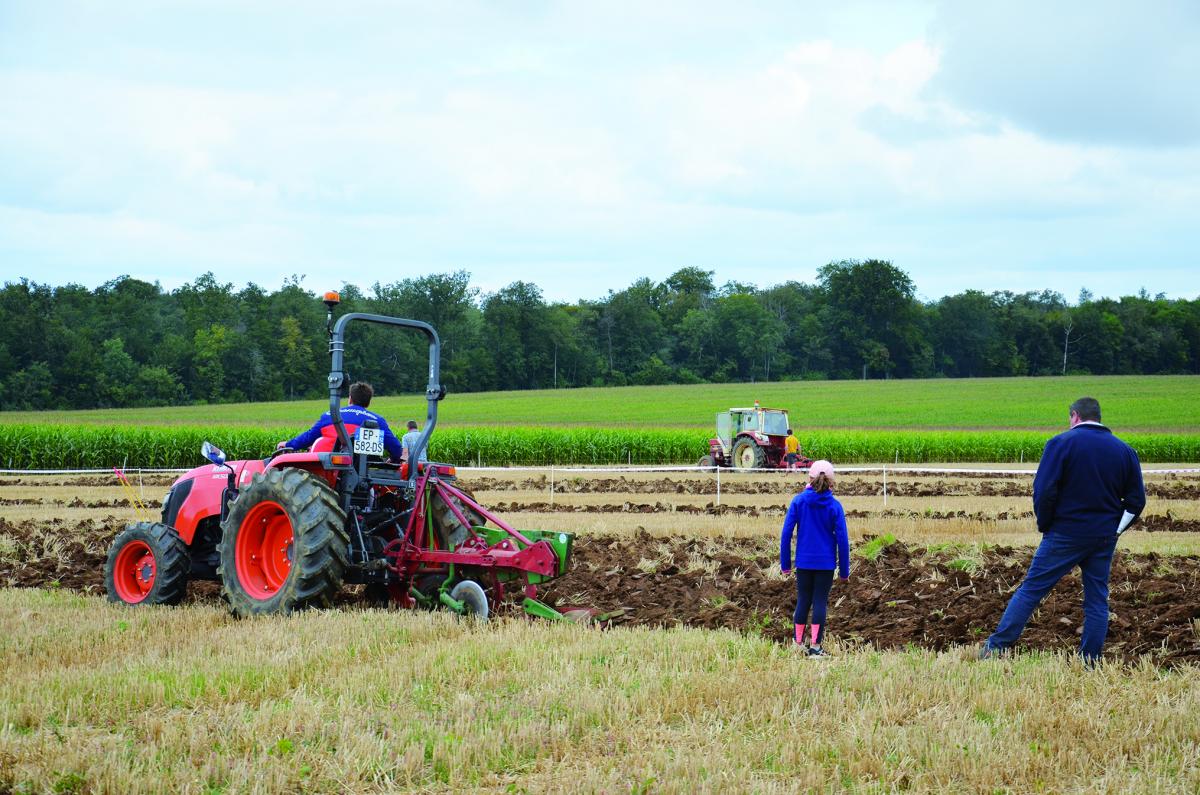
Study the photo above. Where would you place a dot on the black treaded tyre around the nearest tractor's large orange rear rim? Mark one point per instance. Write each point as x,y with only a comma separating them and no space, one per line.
320,543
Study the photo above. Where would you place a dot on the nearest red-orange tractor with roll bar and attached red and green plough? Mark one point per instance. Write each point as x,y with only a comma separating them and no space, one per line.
286,533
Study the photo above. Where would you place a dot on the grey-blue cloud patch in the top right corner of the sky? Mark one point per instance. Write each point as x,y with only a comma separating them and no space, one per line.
1095,71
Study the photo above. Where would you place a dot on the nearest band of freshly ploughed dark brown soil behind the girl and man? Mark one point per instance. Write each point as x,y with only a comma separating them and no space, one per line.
905,596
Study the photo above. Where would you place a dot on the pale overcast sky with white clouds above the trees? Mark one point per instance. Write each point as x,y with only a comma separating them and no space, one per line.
583,146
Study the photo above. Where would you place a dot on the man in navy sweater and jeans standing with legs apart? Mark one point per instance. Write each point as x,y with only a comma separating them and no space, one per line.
1087,493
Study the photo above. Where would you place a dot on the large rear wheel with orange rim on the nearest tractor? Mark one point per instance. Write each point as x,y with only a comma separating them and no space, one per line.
284,546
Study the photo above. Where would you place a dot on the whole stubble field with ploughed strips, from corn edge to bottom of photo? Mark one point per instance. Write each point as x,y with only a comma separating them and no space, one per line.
695,690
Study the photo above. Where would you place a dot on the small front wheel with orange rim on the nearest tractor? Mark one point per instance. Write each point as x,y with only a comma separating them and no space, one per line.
147,564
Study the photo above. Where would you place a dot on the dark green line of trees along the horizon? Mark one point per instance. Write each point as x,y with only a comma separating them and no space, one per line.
130,343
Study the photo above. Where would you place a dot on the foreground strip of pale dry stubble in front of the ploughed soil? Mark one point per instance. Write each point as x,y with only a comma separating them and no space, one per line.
98,698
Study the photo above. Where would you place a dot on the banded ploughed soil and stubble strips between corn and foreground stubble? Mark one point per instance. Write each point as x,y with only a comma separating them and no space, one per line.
663,548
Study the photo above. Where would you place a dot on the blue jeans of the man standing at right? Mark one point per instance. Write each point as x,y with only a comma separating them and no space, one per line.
1057,557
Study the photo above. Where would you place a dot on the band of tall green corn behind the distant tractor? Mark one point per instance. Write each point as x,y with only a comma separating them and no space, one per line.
47,447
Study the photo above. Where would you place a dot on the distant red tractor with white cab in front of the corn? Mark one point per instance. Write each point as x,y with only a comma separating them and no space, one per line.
752,439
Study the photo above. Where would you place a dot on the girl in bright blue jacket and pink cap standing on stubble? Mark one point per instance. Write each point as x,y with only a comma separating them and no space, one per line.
820,525
